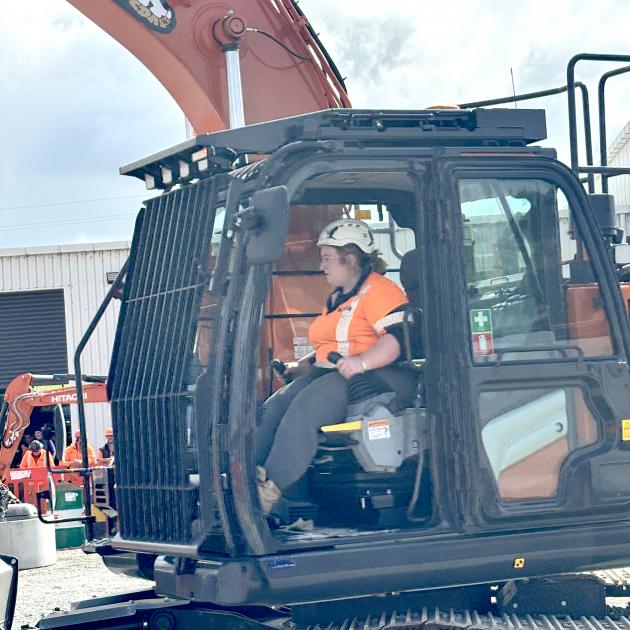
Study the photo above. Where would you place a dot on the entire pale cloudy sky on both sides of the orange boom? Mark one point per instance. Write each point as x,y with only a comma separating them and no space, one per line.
76,105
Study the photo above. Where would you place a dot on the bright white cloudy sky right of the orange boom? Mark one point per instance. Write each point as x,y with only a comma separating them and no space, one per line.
466,54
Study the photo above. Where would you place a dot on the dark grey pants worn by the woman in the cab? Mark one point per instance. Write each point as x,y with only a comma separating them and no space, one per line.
286,439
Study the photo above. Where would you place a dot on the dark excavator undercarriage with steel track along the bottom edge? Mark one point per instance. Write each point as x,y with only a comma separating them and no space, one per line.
561,602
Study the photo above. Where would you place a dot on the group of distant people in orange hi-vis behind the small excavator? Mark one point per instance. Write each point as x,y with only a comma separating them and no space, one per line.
39,451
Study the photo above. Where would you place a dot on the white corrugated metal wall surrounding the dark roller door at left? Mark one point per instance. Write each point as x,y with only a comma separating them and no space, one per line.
80,270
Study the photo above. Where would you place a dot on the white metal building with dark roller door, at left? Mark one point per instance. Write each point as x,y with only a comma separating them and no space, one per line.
48,296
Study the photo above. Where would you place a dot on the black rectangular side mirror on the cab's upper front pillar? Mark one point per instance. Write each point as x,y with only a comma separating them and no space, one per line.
270,209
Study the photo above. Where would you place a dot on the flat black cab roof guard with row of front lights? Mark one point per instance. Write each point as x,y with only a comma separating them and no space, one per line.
210,153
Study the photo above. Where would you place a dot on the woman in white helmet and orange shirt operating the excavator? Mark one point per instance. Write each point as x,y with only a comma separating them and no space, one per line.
362,322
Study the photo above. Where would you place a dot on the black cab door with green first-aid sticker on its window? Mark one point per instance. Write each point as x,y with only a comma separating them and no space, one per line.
544,375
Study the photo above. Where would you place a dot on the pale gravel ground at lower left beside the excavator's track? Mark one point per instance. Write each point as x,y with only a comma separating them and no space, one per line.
76,576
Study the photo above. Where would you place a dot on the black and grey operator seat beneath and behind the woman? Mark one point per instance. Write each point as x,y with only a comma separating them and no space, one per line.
366,467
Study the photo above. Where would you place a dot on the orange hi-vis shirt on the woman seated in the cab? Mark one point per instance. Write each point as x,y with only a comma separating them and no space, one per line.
356,324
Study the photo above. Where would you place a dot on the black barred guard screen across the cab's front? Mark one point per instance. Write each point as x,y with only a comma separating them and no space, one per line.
151,408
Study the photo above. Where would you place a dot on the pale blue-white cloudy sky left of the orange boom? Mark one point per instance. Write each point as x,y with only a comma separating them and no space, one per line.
78,106
